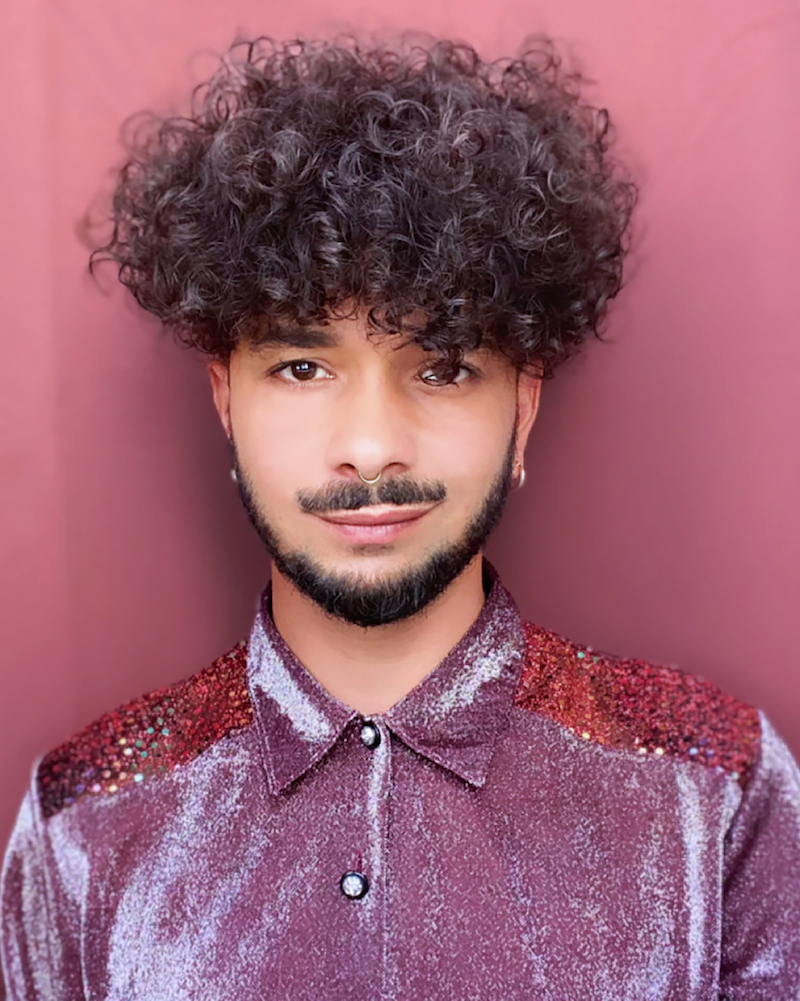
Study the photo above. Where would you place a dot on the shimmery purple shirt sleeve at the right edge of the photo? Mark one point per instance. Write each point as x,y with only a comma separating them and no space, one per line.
761,902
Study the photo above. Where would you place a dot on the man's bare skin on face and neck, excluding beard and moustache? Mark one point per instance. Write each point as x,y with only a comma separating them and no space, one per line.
331,403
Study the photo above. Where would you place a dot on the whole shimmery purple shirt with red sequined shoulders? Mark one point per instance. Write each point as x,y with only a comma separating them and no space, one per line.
532,823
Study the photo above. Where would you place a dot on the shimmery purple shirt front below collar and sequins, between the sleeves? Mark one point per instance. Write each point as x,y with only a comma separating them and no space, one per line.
541,884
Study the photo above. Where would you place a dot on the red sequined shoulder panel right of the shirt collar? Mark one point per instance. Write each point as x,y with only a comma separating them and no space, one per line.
631,704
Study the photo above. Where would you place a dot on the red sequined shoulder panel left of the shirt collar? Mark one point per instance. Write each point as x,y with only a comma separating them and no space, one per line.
149,736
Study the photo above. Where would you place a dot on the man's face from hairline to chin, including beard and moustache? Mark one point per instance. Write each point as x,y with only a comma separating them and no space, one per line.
310,413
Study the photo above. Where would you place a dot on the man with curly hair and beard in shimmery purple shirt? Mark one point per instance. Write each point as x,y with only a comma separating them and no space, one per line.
396,788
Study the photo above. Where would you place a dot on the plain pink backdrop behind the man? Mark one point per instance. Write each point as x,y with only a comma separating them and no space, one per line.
661,513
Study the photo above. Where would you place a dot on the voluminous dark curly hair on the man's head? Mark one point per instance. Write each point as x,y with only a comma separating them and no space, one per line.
418,182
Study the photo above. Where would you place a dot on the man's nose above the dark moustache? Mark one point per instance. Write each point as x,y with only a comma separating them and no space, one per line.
373,433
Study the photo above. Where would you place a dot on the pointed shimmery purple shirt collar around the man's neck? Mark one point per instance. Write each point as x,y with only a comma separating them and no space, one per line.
454,717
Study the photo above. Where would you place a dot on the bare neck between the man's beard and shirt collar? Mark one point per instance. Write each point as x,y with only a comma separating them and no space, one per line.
372,669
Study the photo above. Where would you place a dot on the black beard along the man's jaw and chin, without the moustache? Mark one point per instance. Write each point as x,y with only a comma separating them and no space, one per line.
396,599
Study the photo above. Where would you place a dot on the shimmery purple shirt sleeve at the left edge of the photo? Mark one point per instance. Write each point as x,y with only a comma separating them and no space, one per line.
41,930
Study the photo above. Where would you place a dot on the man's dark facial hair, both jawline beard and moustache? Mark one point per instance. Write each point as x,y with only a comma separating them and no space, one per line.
395,598
